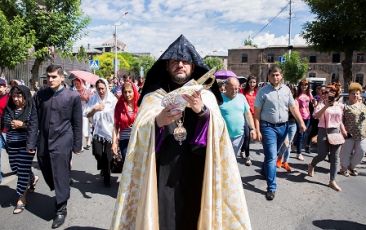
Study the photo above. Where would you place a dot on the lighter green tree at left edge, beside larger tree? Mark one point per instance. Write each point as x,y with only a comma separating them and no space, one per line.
15,45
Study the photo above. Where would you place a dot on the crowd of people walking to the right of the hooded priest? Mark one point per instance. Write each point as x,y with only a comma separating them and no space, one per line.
291,116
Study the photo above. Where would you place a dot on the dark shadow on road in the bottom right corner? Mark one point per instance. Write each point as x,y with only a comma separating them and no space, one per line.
339,224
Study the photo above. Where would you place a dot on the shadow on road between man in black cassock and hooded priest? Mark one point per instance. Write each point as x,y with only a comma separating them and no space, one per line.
87,182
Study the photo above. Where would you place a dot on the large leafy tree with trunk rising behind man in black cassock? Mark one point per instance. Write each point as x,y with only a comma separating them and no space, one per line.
57,24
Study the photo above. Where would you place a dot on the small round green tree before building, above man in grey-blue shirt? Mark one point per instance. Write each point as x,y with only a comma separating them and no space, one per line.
294,68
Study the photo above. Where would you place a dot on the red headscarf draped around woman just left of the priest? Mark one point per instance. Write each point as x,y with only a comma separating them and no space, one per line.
121,116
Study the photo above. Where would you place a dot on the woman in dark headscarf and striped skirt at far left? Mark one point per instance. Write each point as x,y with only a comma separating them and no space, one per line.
16,117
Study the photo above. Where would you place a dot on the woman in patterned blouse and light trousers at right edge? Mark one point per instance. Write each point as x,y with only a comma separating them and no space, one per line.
355,123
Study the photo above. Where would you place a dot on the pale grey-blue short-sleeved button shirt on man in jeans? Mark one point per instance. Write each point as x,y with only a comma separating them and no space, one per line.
274,103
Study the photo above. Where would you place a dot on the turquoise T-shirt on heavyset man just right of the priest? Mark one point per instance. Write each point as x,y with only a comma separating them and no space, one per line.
233,110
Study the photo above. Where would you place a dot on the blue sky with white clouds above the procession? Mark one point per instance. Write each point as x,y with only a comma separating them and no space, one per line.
212,26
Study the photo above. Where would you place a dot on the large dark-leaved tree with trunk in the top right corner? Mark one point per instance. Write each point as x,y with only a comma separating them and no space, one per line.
339,26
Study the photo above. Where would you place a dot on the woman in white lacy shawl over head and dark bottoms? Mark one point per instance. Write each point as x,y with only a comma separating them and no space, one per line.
101,109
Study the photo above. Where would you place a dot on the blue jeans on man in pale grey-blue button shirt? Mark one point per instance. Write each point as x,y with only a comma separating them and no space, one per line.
272,137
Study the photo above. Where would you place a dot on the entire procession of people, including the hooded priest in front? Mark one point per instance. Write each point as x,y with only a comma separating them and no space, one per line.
177,160
